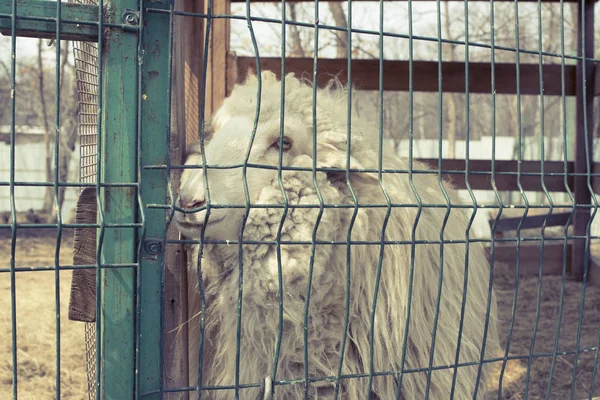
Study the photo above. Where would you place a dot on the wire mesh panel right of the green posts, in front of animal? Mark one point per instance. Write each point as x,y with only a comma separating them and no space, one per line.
491,109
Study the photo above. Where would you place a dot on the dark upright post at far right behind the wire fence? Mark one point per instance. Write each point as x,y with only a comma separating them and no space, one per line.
585,104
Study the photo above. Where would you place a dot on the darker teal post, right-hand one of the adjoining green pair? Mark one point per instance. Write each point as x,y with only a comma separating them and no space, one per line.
153,97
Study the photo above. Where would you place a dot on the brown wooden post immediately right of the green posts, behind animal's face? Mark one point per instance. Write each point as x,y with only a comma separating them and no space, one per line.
181,299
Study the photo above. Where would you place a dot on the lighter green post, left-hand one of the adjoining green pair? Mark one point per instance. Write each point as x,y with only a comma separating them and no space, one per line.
117,155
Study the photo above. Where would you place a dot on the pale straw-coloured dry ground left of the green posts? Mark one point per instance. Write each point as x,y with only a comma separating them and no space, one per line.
36,324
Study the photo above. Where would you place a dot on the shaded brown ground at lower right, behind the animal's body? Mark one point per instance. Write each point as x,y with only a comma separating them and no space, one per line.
517,380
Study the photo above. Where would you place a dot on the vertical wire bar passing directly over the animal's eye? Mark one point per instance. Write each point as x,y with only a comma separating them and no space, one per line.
285,197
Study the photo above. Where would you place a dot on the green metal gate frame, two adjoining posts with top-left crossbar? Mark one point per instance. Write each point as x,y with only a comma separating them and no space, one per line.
134,130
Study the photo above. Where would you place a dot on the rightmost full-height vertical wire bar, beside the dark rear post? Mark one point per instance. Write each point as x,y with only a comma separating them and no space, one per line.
586,7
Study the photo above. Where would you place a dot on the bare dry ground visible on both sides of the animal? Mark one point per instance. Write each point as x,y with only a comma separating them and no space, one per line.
36,322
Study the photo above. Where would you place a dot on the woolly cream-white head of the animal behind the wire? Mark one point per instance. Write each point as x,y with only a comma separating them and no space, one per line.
230,142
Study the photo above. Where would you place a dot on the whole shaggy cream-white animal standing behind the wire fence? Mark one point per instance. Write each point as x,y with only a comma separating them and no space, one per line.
227,143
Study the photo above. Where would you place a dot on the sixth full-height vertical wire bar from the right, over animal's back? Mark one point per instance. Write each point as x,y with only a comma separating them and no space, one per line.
473,199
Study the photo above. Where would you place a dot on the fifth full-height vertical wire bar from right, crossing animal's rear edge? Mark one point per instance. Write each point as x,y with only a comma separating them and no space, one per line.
498,198
